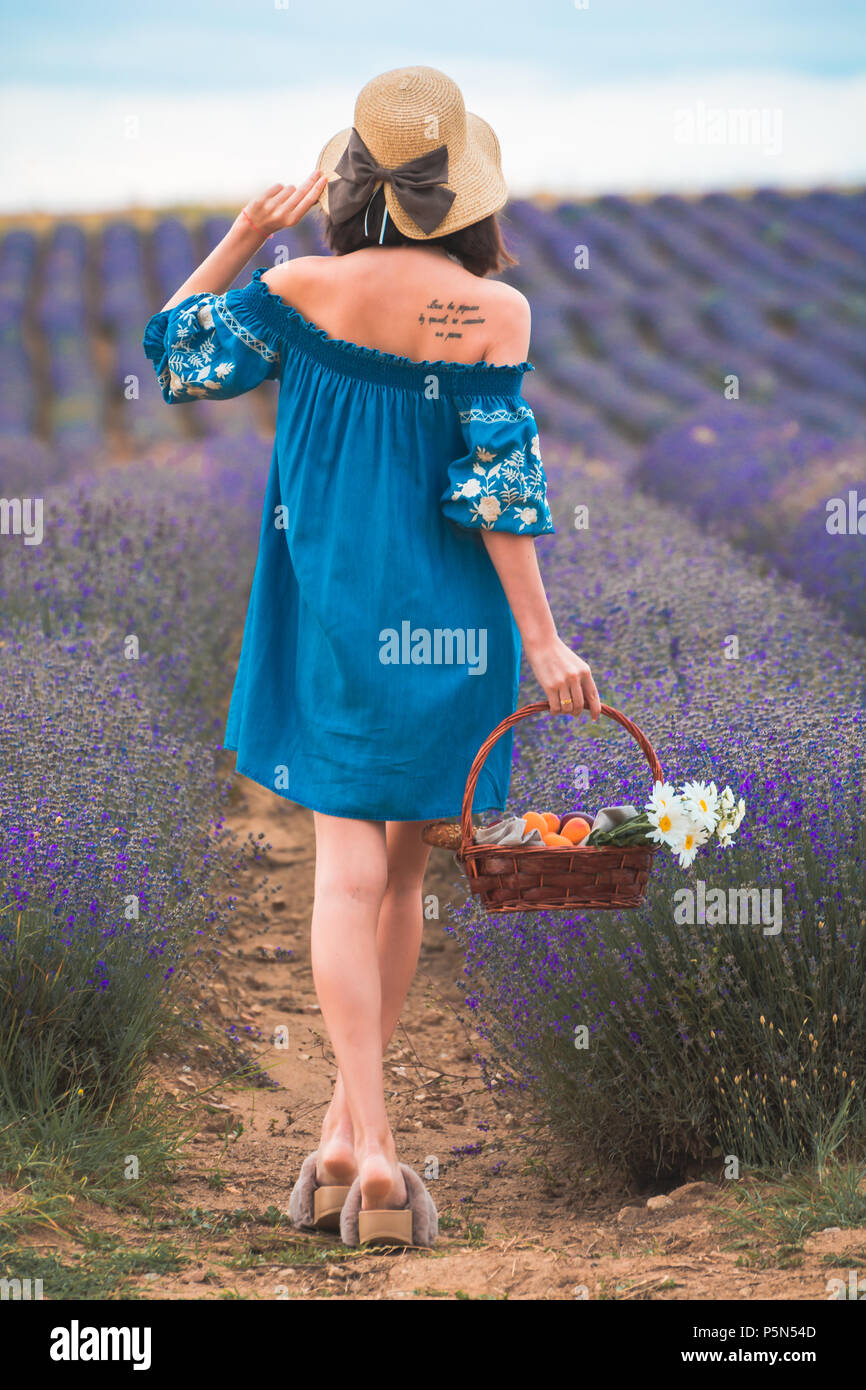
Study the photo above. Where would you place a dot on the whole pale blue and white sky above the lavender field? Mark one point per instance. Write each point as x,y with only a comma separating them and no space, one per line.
111,106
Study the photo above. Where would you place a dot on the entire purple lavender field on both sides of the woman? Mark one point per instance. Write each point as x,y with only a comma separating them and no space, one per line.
701,394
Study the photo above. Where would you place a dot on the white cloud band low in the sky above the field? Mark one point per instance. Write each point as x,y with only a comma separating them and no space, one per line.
74,151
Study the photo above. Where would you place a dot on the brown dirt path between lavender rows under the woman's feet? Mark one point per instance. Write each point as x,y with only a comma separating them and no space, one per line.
508,1229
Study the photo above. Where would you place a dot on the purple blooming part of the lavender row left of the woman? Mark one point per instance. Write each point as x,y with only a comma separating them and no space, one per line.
113,644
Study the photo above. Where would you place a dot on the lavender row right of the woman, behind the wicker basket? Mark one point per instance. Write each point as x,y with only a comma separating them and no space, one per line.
737,678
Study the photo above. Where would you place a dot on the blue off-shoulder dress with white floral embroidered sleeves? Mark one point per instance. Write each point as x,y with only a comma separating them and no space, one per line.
379,648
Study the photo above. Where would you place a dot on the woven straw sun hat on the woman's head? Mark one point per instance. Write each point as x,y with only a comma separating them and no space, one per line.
437,161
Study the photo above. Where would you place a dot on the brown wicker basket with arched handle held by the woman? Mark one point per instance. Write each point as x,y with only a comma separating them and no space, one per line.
521,878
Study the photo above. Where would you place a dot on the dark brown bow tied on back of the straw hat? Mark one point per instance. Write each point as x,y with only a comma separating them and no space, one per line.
418,184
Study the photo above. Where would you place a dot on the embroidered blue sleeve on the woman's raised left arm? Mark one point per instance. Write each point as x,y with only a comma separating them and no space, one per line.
212,347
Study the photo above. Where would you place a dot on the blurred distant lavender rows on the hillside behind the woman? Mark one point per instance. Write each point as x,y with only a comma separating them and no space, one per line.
714,348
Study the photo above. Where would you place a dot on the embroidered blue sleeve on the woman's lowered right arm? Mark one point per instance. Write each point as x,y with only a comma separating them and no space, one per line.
500,484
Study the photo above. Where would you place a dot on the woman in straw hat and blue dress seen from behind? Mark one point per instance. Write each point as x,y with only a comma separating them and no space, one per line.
397,576
